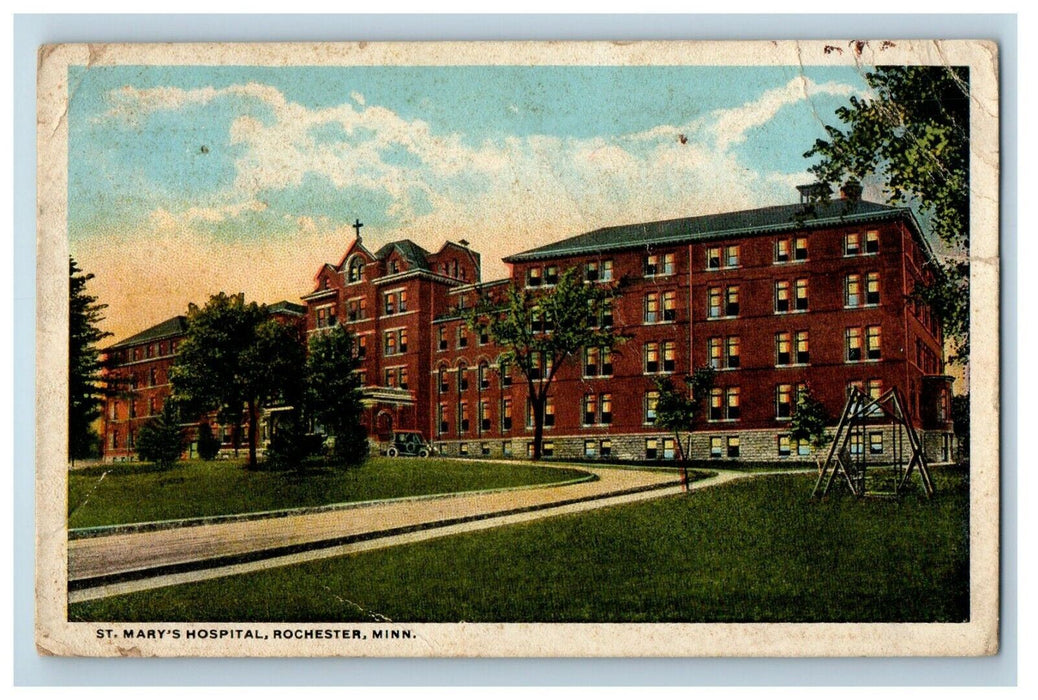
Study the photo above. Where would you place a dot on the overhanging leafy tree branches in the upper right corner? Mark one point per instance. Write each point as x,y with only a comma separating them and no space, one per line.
914,134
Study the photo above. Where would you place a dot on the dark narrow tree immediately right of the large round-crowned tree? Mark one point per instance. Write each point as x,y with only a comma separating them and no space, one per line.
334,392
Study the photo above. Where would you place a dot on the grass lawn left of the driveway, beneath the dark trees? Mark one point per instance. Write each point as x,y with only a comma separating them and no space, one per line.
115,495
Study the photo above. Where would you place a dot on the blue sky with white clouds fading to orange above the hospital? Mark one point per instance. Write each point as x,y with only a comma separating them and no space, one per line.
188,181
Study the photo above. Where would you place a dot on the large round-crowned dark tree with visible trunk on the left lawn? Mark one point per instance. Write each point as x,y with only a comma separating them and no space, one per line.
236,360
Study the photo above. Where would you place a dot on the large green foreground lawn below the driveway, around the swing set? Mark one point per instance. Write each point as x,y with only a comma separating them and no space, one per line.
756,551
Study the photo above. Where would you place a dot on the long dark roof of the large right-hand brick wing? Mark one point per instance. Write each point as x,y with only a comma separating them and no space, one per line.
747,223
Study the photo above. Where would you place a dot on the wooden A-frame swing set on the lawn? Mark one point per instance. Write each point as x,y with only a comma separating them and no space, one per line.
883,474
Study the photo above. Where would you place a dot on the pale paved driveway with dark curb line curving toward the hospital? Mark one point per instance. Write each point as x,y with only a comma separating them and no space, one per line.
102,567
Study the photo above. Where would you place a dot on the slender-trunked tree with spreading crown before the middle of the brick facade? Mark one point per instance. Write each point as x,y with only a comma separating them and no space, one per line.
540,331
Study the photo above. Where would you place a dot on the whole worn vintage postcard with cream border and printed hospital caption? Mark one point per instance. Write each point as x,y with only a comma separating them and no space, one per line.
518,349
